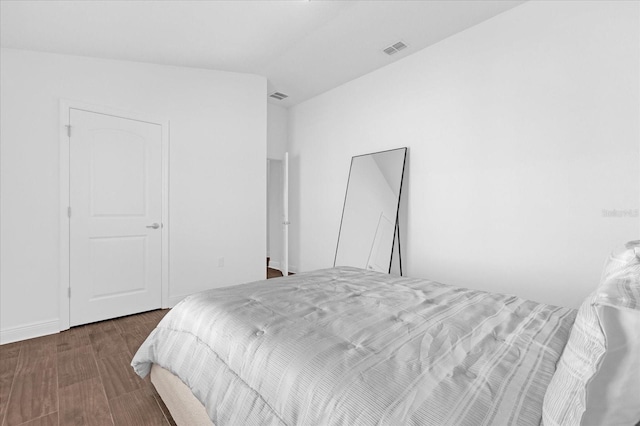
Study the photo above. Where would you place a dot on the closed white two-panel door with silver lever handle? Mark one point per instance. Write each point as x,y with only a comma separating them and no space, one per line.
115,172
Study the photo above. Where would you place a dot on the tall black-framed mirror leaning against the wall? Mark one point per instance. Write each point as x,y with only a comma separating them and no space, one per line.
369,225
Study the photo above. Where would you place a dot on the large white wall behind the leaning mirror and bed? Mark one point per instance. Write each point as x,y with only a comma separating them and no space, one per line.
520,130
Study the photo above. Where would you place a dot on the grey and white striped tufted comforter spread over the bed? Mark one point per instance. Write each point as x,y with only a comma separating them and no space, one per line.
345,346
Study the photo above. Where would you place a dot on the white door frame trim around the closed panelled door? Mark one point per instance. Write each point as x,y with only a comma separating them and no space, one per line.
65,261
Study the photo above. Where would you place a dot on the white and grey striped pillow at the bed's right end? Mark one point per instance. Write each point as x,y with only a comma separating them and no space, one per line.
597,380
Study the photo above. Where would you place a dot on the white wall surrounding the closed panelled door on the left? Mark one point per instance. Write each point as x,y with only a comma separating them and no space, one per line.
217,172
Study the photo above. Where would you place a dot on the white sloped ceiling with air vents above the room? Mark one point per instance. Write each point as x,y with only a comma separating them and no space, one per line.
303,47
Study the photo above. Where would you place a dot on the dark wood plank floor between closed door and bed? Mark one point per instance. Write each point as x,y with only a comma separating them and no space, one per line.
81,376
